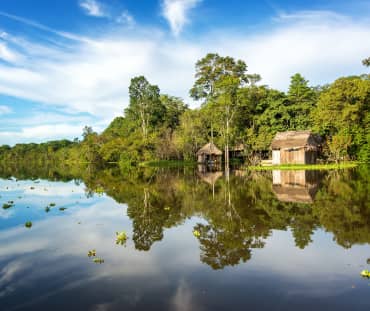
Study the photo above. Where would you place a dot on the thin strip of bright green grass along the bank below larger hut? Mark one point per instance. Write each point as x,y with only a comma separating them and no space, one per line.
332,166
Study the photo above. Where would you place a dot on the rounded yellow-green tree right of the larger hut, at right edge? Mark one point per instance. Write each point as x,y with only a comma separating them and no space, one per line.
342,116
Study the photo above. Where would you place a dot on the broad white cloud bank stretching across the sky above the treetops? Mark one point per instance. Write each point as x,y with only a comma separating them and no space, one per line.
93,75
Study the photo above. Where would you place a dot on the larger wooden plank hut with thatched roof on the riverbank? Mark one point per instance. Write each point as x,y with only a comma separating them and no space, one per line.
295,147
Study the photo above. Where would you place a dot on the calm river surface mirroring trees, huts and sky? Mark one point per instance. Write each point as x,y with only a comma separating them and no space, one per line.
197,240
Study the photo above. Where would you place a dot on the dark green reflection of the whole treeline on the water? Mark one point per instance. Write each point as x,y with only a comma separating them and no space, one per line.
239,212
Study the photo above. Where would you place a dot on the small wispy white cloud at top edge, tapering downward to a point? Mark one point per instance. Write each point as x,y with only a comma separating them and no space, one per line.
176,12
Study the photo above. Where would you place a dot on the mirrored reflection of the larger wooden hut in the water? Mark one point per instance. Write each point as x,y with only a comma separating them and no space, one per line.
295,186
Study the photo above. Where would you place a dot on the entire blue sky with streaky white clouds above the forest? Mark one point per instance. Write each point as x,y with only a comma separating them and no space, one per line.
67,64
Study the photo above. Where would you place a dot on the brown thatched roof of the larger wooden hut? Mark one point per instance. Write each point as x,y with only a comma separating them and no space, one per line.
296,139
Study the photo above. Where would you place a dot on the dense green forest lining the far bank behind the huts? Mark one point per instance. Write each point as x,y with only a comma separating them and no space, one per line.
235,108
